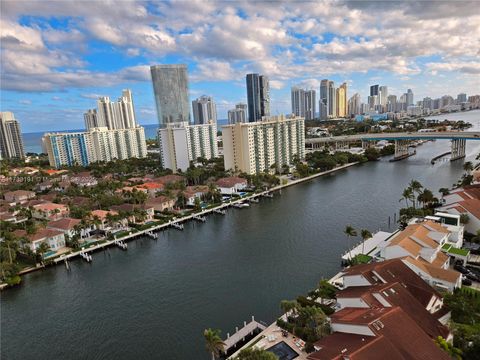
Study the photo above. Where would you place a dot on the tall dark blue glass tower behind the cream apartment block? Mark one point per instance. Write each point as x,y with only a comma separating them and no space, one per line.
258,96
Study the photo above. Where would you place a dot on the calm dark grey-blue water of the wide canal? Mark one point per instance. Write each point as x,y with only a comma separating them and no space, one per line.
153,301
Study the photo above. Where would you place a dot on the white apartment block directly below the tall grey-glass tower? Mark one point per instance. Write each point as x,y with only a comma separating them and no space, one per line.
181,143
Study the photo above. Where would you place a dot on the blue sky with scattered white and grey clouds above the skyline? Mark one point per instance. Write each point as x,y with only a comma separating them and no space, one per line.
57,57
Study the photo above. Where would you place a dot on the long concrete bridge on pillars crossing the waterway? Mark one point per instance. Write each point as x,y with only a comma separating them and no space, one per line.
402,141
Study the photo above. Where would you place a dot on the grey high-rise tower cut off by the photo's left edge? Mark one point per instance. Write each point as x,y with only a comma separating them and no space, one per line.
11,142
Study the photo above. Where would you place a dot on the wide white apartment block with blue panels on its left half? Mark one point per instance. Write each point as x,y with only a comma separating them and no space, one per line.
96,144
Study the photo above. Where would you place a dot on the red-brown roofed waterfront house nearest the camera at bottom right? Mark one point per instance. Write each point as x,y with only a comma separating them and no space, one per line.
380,333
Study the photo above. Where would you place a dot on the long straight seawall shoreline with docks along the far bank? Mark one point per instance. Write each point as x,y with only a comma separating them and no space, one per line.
133,235
